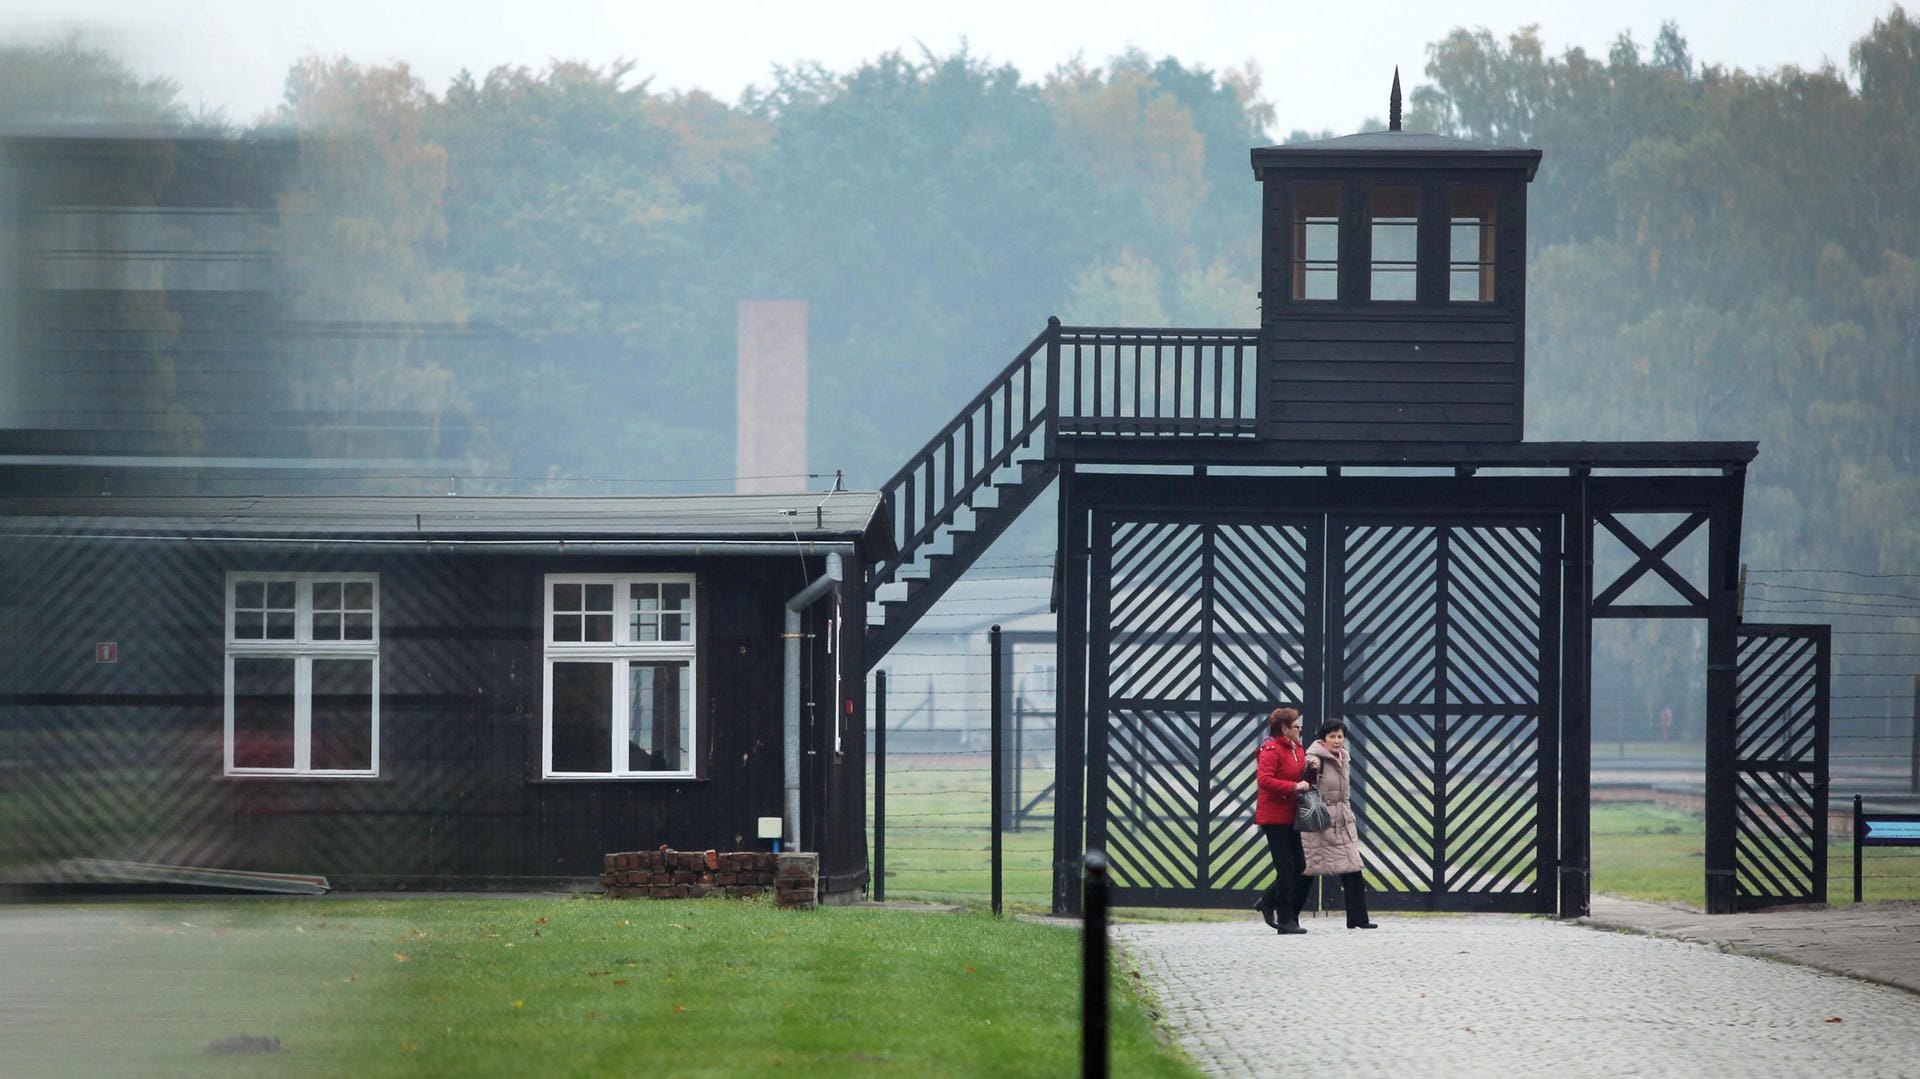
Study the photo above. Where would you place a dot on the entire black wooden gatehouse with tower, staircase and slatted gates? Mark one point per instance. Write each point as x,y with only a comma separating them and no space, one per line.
1341,512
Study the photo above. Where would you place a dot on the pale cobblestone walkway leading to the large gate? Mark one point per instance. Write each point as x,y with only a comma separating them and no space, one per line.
1506,995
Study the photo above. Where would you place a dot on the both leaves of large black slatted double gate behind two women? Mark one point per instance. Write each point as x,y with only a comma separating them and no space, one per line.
1435,638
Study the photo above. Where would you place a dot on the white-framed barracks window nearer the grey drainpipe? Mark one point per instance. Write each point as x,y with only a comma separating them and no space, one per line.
619,677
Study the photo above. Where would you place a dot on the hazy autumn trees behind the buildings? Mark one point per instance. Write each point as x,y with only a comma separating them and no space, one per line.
1716,254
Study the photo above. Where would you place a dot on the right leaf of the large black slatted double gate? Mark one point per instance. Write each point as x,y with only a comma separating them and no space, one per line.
1447,652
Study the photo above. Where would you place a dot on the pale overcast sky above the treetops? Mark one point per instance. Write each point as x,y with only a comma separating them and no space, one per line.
1326,64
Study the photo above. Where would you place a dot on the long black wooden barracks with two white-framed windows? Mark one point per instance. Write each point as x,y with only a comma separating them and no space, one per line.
429,692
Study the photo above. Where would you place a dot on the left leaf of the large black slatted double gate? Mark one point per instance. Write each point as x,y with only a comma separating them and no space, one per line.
1203,629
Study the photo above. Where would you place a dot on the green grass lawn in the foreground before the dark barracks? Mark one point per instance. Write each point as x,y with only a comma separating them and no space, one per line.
564,988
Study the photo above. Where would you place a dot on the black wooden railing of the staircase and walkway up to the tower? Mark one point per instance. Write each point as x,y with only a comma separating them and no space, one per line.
1070,381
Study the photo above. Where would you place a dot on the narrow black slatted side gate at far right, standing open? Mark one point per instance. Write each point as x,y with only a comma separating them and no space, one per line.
1781,765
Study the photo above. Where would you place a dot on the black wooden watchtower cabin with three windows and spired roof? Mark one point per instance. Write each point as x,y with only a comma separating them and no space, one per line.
1393,289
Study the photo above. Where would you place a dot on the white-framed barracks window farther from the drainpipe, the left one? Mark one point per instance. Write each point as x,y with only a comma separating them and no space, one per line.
302,675
